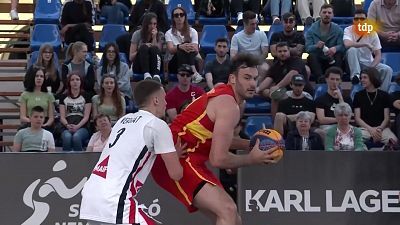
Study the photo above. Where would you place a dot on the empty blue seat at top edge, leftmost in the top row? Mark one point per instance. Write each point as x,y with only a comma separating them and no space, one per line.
47,12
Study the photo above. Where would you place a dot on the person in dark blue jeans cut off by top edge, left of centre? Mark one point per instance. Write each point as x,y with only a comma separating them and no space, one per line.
114,11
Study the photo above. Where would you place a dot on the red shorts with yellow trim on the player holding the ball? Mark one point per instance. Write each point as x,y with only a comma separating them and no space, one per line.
195,172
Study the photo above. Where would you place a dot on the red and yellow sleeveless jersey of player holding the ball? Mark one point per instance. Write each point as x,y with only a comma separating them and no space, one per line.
193,125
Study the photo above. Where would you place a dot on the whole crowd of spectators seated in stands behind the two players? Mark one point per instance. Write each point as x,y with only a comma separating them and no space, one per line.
92,97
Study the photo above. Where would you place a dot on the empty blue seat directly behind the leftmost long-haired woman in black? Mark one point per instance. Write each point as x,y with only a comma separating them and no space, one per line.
45,33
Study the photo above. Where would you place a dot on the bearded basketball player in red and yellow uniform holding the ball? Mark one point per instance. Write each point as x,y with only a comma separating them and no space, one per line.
207,126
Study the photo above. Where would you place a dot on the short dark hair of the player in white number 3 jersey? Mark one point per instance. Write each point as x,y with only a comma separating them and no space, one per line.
144,89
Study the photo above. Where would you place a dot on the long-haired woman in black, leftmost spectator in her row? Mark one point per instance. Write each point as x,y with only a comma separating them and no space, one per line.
46,61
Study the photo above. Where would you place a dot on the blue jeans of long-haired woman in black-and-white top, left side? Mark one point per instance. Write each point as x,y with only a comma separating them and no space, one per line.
74,141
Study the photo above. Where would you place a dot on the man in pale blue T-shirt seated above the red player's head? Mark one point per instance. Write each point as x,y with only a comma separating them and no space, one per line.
251,40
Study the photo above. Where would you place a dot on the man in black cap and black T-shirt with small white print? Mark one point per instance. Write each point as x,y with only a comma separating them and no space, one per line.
297,101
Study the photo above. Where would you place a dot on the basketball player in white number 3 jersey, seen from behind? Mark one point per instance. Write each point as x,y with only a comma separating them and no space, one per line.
108,197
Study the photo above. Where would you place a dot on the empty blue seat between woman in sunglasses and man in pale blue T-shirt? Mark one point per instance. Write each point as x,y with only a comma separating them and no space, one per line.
211,33
